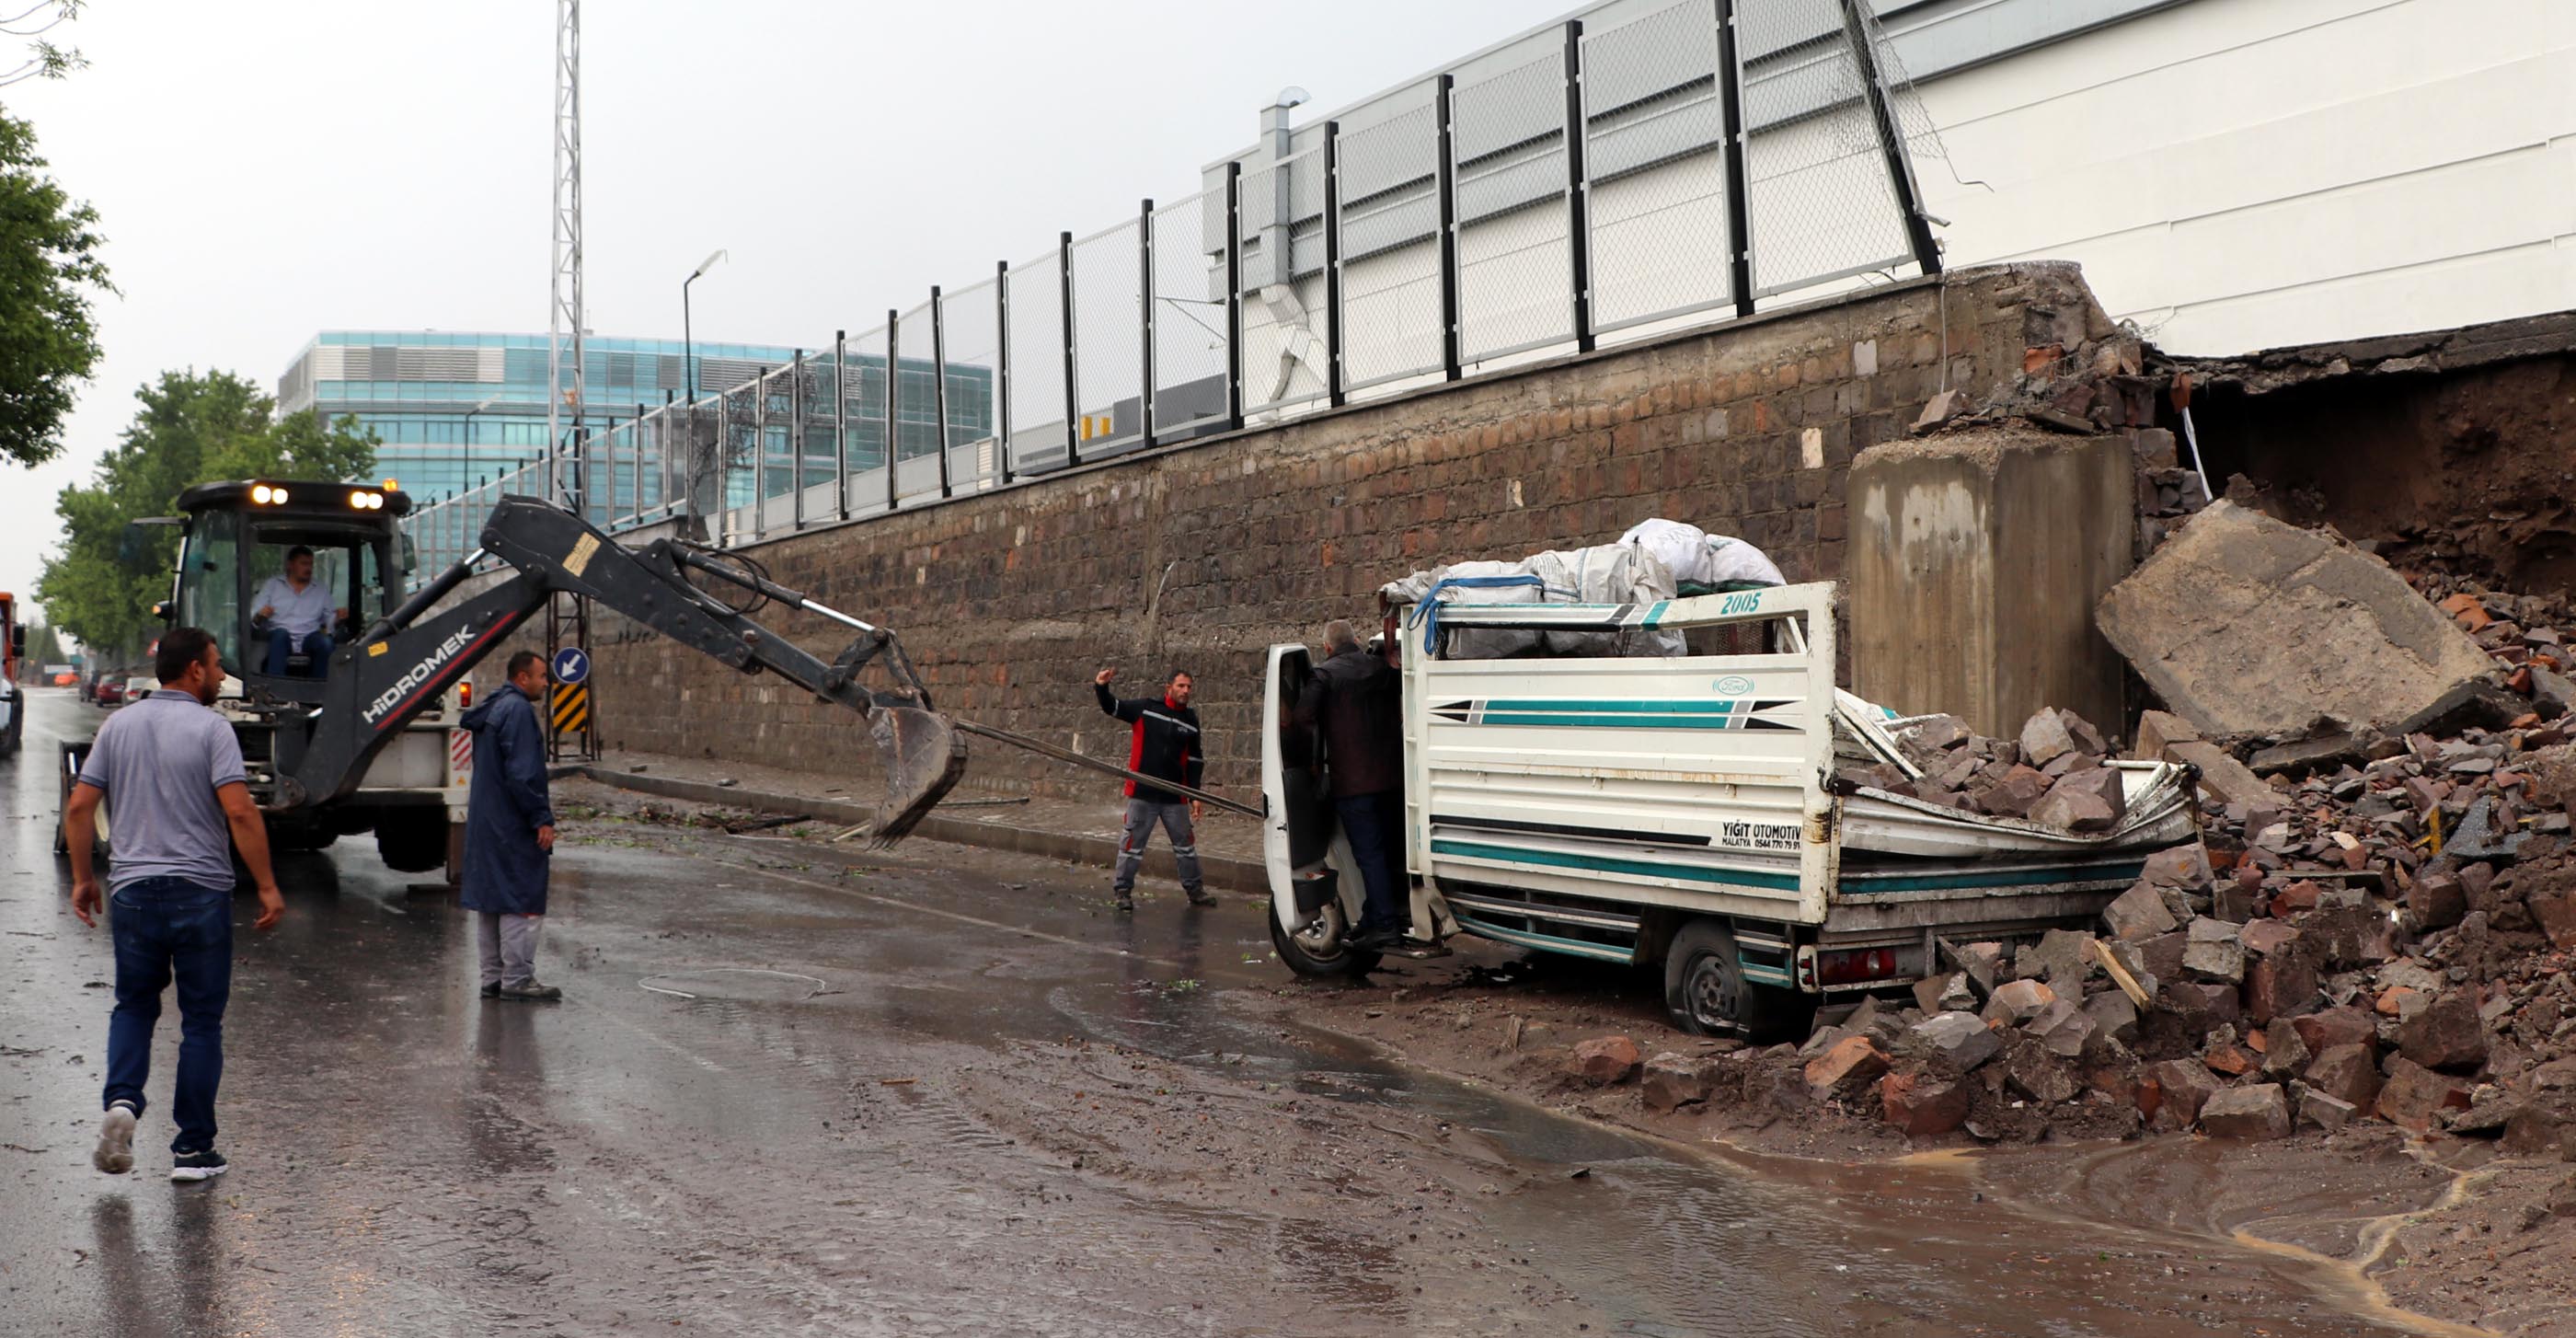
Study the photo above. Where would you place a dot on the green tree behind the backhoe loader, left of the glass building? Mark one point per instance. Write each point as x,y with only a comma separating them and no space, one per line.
189,429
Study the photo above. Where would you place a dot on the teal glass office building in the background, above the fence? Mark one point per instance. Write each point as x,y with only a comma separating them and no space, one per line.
457,409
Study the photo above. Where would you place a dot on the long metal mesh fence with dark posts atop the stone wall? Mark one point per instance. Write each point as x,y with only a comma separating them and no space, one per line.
1011,375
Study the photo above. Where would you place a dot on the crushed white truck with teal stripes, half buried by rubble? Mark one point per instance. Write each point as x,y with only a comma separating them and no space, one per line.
1653,782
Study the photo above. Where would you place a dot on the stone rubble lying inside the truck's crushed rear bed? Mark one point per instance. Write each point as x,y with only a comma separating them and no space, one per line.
2052,775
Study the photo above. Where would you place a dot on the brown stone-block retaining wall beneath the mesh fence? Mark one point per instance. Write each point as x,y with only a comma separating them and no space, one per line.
1209,553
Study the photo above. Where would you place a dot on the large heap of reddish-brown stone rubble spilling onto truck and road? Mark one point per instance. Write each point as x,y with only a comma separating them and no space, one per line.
2376,924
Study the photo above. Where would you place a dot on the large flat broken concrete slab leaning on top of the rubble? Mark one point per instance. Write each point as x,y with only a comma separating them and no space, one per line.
2248,625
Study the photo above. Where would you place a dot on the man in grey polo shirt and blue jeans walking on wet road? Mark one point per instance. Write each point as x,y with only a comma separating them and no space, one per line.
174,782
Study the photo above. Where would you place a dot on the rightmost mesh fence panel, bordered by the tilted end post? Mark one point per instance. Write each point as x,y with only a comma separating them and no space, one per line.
1817,182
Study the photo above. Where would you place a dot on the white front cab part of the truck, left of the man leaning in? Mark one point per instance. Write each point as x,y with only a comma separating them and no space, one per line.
1315,888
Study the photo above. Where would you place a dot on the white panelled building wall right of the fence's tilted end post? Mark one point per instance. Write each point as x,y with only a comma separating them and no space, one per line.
2248,174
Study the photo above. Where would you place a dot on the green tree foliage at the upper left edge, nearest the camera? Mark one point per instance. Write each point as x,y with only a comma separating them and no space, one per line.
48,275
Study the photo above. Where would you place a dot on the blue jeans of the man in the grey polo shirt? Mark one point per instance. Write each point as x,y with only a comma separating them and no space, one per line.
171,929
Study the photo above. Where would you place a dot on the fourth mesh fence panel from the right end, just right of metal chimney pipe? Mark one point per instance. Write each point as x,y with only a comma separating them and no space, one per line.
1390,246
